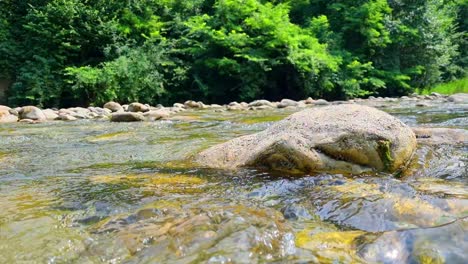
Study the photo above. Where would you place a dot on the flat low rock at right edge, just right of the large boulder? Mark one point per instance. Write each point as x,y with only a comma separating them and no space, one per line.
435,136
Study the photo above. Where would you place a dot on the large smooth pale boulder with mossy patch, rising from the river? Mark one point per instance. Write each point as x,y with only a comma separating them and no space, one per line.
339,138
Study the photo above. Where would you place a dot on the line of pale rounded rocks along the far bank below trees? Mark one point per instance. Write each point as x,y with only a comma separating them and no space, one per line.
143,112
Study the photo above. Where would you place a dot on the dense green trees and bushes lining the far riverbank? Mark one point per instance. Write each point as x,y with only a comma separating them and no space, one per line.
68,52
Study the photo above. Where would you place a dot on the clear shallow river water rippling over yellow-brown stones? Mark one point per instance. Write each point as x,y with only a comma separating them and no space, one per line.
93,192
